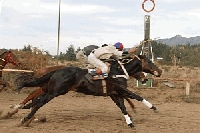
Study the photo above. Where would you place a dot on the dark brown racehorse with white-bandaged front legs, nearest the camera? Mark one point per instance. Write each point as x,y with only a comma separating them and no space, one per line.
59,82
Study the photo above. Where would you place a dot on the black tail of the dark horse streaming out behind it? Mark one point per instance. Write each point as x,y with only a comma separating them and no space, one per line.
35,82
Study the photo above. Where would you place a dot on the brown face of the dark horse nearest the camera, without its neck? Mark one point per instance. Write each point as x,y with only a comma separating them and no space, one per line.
149,67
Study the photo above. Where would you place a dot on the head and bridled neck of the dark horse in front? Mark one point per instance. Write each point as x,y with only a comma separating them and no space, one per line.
131,65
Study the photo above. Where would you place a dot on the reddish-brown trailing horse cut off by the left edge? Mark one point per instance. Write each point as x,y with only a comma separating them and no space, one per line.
7,57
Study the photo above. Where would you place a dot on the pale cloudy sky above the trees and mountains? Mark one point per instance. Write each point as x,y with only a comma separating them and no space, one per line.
93,22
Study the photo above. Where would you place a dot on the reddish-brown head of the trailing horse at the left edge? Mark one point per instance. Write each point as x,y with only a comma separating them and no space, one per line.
9,57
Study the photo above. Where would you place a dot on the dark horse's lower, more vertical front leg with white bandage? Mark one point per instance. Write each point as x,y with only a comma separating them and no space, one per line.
120,103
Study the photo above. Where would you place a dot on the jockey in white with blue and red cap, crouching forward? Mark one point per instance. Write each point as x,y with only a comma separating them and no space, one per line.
105,52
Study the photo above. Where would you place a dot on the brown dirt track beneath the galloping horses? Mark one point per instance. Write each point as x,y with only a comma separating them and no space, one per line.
77,113
